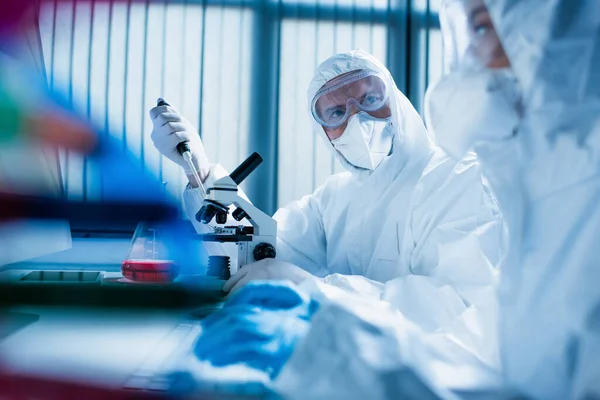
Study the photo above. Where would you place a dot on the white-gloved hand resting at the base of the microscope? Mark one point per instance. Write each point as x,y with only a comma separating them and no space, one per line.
267,269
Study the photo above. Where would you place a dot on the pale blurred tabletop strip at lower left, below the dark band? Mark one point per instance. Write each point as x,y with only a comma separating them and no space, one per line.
105,347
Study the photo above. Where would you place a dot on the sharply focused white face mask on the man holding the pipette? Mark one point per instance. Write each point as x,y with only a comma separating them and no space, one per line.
366,141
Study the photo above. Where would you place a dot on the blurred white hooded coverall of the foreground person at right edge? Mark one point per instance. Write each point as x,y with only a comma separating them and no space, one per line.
550,299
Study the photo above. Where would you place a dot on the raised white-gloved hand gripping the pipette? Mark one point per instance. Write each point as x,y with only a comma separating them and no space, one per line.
170,129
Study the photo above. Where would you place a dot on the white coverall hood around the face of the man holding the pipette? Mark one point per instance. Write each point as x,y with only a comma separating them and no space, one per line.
410,141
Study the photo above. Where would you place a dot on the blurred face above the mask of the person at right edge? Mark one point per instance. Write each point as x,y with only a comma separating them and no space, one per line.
483,42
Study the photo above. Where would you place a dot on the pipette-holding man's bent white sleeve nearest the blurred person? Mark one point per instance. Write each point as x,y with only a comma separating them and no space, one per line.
458,235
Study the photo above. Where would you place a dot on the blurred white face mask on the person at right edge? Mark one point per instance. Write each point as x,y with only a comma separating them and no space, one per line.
463,109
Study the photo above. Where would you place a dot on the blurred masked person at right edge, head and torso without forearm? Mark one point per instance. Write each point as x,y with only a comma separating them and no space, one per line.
532,88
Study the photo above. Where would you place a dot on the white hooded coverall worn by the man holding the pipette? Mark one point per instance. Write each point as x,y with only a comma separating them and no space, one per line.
420,231
